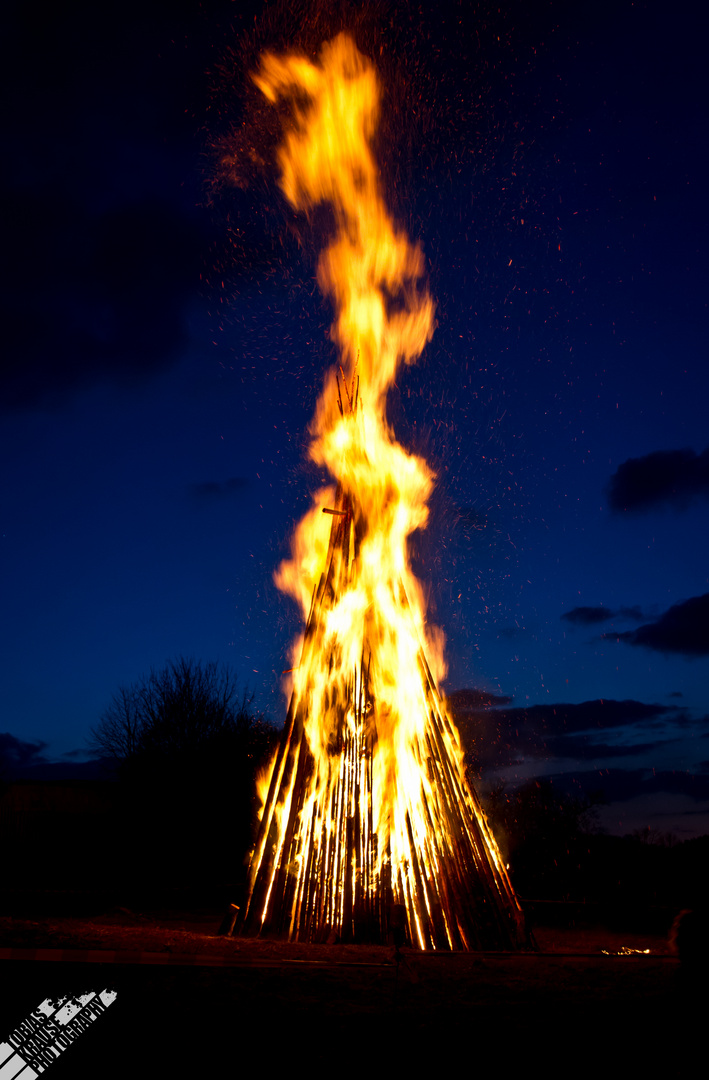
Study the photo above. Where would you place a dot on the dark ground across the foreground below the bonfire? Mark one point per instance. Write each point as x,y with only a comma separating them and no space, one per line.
332,1007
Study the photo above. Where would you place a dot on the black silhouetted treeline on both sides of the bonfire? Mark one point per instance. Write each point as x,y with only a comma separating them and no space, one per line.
178,813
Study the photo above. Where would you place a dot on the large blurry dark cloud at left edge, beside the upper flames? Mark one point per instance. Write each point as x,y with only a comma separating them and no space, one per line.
91,298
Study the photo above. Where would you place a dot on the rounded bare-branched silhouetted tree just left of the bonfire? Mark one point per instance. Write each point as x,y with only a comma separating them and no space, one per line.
188,745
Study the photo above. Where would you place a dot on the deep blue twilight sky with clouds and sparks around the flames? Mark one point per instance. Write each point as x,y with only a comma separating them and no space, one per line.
166,344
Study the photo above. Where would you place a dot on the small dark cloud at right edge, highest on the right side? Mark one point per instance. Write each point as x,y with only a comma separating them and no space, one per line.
676,477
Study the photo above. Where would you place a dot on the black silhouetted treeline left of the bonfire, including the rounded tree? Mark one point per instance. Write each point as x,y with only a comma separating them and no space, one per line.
177,812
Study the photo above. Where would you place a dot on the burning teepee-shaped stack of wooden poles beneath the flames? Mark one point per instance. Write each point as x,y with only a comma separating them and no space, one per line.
318,872
